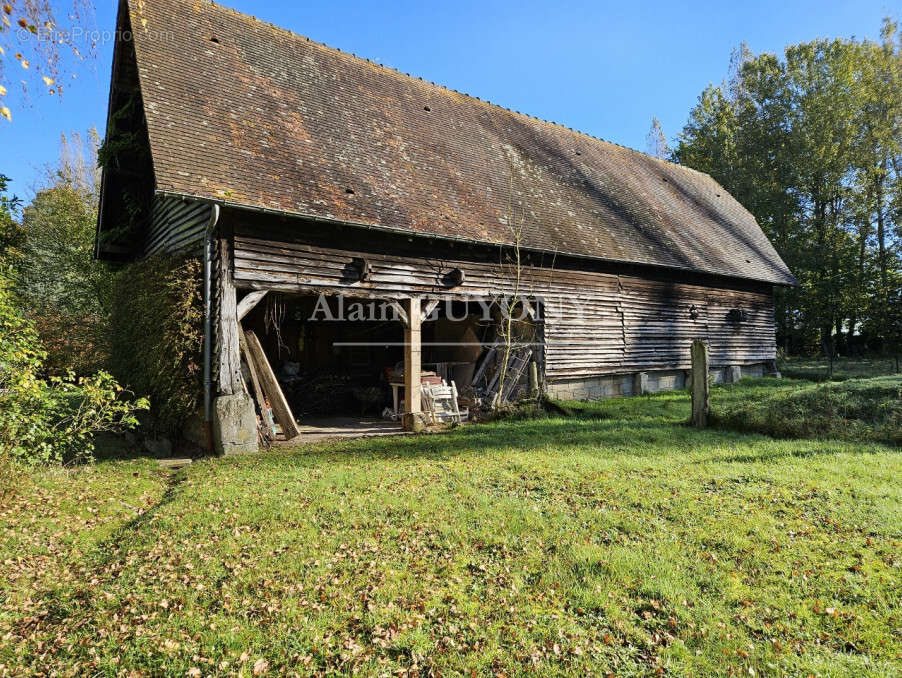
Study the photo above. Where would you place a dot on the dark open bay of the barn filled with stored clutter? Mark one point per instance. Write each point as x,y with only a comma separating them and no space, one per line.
340,360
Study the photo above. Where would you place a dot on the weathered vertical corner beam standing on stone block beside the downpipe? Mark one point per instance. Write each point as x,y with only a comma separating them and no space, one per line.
228,359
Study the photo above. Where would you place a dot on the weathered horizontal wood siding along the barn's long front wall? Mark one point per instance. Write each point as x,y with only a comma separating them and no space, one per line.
595,323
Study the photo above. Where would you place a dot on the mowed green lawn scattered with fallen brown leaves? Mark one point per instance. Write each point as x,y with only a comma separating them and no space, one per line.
618,541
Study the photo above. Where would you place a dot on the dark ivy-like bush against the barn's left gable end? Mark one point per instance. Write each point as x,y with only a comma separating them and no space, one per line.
156,337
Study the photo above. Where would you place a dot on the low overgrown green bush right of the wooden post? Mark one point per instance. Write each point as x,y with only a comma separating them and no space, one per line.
855,409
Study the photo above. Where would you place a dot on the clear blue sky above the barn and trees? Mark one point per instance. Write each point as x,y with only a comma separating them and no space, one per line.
601,67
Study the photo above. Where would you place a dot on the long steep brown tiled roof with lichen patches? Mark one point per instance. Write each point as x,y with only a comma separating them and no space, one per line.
241,111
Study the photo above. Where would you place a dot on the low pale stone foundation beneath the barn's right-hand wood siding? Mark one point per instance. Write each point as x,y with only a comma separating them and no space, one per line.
634,383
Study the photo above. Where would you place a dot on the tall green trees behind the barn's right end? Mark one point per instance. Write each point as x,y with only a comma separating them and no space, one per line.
809,143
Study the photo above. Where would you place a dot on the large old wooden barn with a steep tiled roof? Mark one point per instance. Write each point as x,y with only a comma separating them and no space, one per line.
303,174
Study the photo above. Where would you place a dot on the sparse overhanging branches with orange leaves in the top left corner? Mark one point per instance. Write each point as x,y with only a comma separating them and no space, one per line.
37,37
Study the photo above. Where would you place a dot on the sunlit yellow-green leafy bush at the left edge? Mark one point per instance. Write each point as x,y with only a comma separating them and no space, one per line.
50,420
